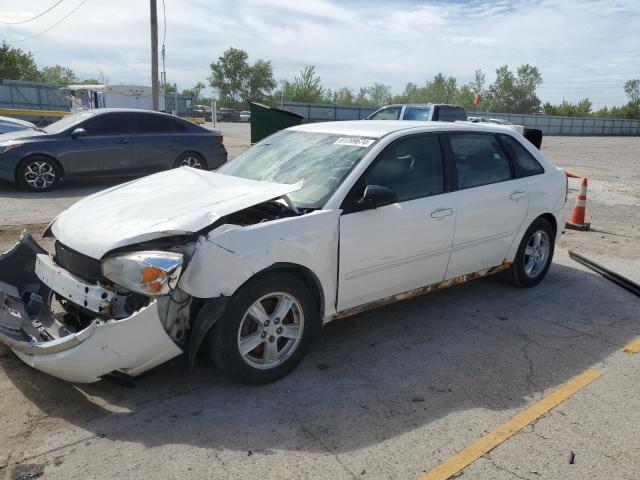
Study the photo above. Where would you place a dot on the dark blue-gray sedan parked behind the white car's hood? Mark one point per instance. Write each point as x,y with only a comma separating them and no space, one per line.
107,142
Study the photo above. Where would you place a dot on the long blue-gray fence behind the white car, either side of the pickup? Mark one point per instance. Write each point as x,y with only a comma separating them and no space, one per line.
550,125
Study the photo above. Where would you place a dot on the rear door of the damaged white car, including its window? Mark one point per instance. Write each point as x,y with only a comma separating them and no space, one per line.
491,202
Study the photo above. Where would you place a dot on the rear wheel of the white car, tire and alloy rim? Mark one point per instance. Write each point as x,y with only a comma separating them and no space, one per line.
531,266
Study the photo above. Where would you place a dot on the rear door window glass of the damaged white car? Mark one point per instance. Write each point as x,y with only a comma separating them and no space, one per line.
479,160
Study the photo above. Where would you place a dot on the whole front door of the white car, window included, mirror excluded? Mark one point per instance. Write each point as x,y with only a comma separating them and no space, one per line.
403,246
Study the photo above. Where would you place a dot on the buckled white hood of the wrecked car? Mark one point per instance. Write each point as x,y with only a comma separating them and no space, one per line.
176,202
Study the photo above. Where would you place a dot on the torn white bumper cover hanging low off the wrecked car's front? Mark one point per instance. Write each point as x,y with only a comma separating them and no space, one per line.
132,345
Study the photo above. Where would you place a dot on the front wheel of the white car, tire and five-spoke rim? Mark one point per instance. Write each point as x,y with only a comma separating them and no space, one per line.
275,352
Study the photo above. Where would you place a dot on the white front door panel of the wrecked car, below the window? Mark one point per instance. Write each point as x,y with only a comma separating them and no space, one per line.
394,249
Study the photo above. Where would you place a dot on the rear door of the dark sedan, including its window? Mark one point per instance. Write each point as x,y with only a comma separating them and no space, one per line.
156,142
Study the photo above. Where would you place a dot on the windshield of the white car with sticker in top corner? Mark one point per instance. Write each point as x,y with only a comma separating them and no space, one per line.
320,160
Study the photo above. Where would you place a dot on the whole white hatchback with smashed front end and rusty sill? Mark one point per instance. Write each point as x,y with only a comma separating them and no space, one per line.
314,223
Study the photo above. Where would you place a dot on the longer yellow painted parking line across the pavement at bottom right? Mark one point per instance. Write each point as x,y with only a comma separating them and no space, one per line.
466,457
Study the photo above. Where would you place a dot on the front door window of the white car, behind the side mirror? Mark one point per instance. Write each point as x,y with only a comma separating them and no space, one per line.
412,167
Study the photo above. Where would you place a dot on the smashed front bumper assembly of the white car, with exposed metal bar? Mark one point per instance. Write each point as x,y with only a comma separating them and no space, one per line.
74,329
